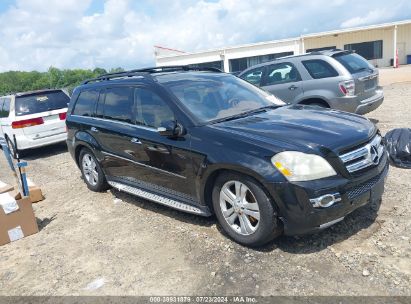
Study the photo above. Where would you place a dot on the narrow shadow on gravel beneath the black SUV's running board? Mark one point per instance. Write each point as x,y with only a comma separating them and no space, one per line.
164,210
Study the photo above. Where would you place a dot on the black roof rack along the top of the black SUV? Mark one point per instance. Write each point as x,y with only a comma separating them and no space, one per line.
146,72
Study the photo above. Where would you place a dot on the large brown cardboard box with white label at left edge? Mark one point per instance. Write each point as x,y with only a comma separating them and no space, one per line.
17,218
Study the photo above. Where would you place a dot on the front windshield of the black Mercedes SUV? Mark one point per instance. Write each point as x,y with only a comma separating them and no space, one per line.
210,97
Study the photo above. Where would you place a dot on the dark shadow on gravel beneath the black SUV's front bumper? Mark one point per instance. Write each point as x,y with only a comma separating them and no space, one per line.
360,219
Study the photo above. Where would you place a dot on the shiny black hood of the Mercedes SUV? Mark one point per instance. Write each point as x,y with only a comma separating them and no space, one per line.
303,127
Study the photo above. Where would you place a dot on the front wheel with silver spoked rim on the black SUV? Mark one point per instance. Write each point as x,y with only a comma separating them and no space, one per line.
241,221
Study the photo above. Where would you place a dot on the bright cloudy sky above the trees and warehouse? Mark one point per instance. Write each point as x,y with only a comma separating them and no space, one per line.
37,34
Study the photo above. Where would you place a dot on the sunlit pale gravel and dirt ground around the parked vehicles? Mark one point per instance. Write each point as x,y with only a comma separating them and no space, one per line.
114,244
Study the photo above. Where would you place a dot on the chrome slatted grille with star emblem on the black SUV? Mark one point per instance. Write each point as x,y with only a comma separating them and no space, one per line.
361,158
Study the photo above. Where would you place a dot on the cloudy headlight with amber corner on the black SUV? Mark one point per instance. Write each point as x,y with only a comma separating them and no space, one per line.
298,166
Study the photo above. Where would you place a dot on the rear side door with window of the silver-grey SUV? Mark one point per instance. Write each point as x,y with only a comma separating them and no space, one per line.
283,81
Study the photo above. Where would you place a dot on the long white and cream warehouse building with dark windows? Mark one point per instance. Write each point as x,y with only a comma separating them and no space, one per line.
377,43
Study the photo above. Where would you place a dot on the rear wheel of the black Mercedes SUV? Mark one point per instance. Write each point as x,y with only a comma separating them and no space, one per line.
91,171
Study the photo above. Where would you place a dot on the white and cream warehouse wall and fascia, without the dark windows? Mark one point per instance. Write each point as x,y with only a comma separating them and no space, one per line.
383,32
